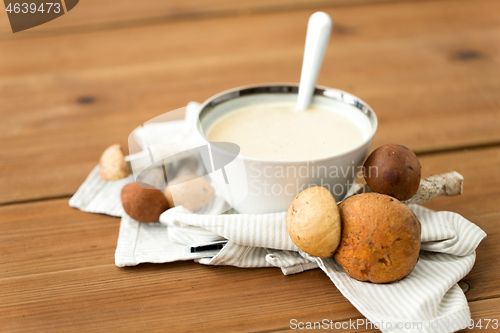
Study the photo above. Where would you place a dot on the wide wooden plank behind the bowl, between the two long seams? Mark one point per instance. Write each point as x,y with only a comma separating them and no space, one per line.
65,98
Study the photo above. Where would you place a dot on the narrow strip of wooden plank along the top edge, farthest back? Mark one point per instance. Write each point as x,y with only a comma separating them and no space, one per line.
94,14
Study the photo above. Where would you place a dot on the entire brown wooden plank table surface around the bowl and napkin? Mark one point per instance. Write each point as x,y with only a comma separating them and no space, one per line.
73,86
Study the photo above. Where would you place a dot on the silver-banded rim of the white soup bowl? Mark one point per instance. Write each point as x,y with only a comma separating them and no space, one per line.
283,88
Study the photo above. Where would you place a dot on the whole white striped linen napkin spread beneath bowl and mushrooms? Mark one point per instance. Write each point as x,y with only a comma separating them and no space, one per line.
428,300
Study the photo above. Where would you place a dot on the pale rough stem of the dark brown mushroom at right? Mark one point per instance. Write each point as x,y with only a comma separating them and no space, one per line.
443,184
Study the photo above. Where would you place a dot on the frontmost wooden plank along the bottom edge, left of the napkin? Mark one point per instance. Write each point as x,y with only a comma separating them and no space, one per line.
180,297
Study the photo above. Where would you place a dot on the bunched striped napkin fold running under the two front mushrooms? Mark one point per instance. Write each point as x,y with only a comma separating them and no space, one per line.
428,300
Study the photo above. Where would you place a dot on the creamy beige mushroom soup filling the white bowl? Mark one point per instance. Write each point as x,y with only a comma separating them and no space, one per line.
277,131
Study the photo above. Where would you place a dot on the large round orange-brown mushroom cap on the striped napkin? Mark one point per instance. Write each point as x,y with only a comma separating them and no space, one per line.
380,238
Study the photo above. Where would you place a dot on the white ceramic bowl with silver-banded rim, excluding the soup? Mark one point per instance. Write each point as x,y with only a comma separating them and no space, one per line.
252,185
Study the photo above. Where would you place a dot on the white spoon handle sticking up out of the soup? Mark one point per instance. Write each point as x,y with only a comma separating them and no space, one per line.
318,34
